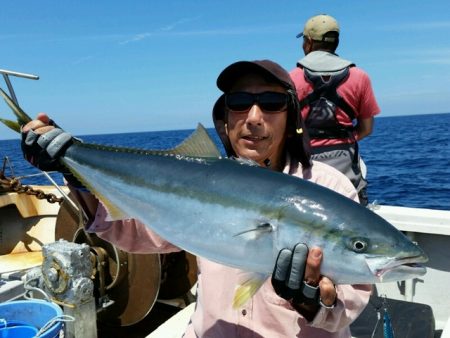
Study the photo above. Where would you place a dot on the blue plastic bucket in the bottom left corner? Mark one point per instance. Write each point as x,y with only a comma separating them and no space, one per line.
24,318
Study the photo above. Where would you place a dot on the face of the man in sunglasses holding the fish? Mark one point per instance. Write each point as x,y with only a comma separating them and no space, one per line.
257,134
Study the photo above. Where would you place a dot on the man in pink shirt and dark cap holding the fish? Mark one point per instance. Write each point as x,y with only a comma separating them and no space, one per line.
257,118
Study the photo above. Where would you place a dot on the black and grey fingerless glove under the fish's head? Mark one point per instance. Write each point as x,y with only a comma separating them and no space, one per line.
288,276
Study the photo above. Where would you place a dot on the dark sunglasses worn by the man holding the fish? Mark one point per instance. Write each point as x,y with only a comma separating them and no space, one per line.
270,102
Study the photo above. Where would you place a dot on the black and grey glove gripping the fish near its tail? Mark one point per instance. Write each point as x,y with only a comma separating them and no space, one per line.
43,151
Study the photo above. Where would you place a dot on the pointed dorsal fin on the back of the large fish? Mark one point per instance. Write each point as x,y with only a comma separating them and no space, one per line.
198,144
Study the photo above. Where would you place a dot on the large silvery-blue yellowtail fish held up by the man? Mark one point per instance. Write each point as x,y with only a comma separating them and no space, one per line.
239,214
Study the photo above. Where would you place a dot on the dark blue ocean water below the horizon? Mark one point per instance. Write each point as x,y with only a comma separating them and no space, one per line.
408,158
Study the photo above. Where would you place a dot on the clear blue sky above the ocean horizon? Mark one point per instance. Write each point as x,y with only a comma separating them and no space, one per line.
124,66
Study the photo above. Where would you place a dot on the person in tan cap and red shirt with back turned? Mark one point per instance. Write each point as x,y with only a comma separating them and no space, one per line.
336,98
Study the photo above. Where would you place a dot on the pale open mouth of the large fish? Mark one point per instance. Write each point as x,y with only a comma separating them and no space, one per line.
395,269
